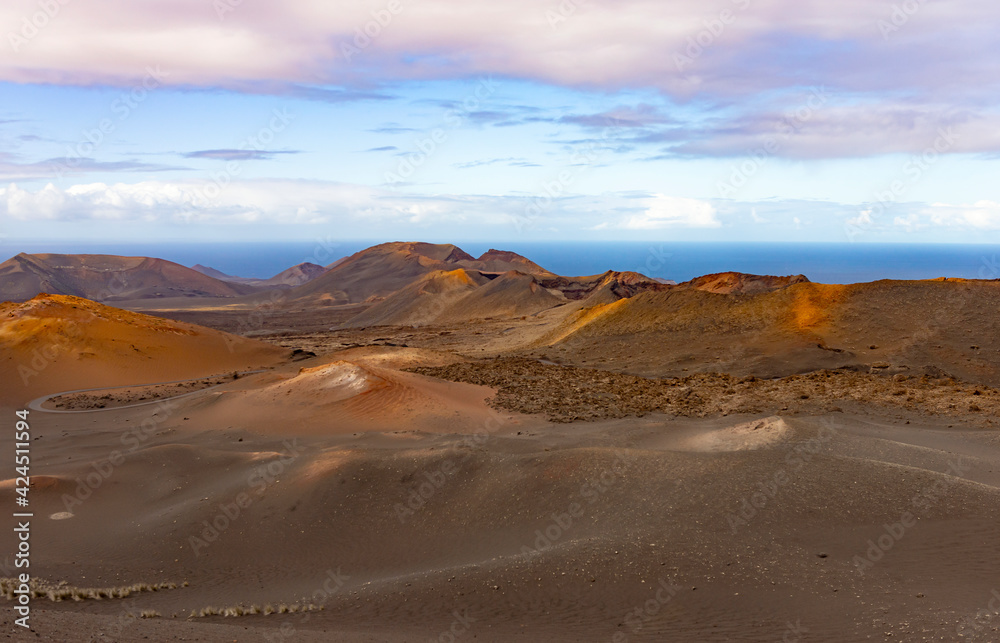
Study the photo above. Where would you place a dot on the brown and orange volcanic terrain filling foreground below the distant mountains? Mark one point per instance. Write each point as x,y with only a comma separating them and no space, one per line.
738,459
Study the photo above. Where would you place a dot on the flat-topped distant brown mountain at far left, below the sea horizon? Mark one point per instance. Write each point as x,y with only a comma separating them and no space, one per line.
107,278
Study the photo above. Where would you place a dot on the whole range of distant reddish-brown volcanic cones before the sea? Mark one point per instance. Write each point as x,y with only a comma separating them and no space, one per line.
402,283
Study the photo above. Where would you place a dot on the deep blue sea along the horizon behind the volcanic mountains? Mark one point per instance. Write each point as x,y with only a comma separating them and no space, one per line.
820,262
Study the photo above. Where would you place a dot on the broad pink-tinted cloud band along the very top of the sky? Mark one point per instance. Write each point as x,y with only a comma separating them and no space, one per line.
740,46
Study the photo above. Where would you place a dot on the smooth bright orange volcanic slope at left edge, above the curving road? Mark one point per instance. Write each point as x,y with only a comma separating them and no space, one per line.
57,342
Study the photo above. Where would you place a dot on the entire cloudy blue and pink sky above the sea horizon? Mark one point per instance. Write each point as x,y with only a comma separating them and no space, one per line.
684,120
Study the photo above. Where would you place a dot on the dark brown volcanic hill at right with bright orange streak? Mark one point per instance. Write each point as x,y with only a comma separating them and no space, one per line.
901,327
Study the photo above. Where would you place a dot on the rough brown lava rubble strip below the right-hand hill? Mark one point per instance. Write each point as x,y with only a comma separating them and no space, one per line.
568,394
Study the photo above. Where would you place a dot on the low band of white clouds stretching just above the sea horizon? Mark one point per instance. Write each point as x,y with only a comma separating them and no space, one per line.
298,207
